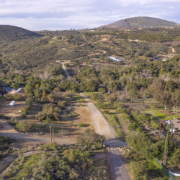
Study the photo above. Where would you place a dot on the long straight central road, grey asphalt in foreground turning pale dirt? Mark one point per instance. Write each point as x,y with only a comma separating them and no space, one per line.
102,127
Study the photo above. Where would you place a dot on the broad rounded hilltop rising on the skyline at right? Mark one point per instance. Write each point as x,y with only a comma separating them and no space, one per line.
136,22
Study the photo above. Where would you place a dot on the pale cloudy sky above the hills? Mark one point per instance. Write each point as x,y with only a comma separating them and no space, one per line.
78,14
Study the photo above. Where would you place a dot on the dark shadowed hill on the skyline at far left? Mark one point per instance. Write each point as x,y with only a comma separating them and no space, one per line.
13,33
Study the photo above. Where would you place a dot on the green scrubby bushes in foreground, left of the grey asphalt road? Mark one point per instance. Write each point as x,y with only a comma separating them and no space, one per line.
52,161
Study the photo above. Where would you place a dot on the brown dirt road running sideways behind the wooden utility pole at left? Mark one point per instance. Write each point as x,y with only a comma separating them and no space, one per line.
12,133
